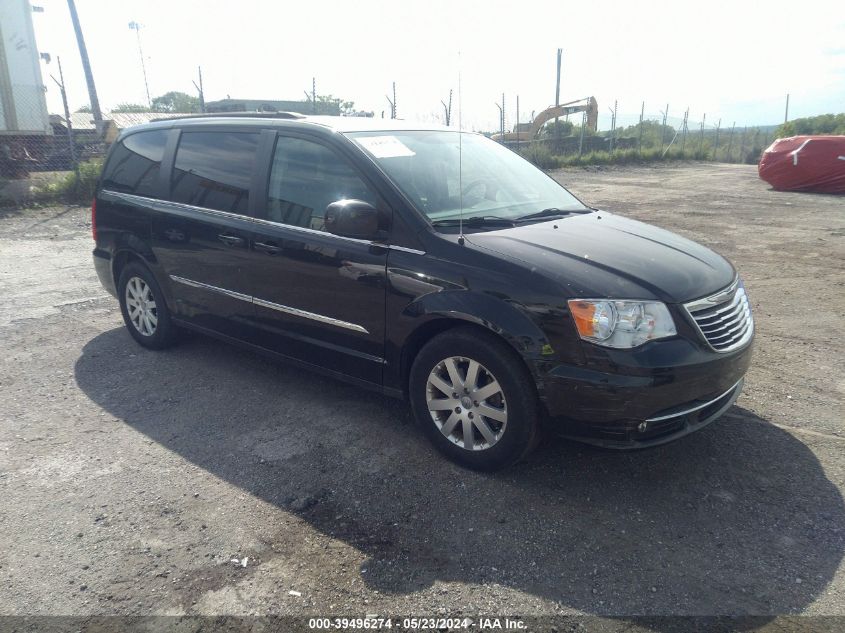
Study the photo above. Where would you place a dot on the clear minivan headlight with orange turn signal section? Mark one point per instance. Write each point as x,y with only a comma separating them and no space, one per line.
621,324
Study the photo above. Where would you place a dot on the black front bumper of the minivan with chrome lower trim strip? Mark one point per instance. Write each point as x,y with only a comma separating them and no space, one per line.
647,407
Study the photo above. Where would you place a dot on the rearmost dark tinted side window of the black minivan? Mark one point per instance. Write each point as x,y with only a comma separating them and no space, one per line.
135,163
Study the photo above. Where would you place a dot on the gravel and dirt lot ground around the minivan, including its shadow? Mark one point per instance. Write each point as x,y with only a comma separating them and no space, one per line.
208,480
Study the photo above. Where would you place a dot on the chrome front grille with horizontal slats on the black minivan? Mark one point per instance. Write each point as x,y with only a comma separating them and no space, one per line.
724,319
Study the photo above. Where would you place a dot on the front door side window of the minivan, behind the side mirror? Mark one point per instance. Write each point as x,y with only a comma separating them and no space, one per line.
305,178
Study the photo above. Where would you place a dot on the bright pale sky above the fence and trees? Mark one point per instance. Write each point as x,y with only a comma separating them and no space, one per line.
731,61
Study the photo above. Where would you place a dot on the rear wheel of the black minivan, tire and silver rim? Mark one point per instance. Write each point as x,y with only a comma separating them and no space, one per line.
144,309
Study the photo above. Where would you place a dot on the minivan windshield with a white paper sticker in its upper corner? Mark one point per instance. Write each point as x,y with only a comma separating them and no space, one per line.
496,182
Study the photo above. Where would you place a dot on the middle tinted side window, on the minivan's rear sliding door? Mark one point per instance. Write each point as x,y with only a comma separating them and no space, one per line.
214,170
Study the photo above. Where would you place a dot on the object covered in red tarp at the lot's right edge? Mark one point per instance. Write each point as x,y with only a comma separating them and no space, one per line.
805,163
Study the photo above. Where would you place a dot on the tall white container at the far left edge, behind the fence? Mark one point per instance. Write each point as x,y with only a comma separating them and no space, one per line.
23,104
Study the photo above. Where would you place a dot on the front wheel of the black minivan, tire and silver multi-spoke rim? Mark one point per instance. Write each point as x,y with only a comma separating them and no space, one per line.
503,425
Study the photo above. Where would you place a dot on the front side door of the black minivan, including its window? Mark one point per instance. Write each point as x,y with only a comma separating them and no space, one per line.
318,297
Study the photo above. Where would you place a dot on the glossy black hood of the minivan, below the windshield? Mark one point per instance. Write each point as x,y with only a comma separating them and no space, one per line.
598,255
